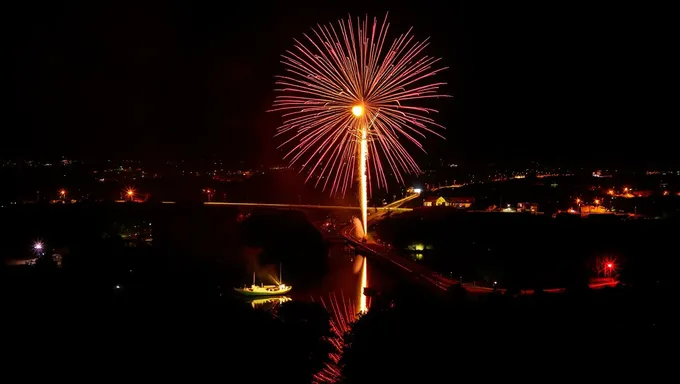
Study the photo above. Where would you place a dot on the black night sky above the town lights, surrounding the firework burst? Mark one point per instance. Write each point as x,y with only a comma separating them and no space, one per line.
562,82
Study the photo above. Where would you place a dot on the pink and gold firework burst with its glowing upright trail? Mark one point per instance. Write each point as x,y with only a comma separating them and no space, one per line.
349,99
